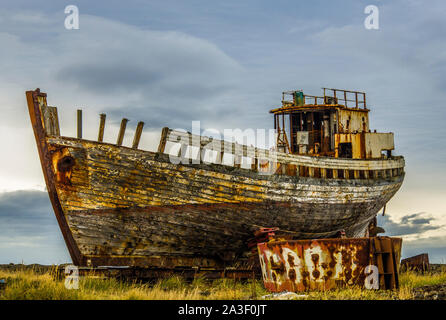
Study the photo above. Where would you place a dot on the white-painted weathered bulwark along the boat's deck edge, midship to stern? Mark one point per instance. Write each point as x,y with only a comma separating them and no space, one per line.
273,162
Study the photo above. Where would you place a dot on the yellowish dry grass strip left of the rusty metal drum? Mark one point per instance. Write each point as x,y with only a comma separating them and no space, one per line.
30,285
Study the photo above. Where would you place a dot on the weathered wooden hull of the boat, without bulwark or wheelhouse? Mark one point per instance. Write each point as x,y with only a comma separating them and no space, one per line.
123,206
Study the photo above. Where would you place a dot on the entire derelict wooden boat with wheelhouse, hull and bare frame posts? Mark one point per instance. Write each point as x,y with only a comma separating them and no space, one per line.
122,206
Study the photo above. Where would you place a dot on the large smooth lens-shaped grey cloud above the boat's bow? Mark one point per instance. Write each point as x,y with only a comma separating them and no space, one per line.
160,77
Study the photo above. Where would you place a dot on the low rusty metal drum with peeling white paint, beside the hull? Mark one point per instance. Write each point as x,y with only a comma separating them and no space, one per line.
324,264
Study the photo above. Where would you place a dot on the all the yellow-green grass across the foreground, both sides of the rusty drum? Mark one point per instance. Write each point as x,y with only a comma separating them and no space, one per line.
29,284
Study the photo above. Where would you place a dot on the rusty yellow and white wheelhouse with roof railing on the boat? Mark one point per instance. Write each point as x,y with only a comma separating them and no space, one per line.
333,125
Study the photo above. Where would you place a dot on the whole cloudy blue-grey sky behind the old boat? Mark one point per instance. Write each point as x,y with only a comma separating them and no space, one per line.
224,63
